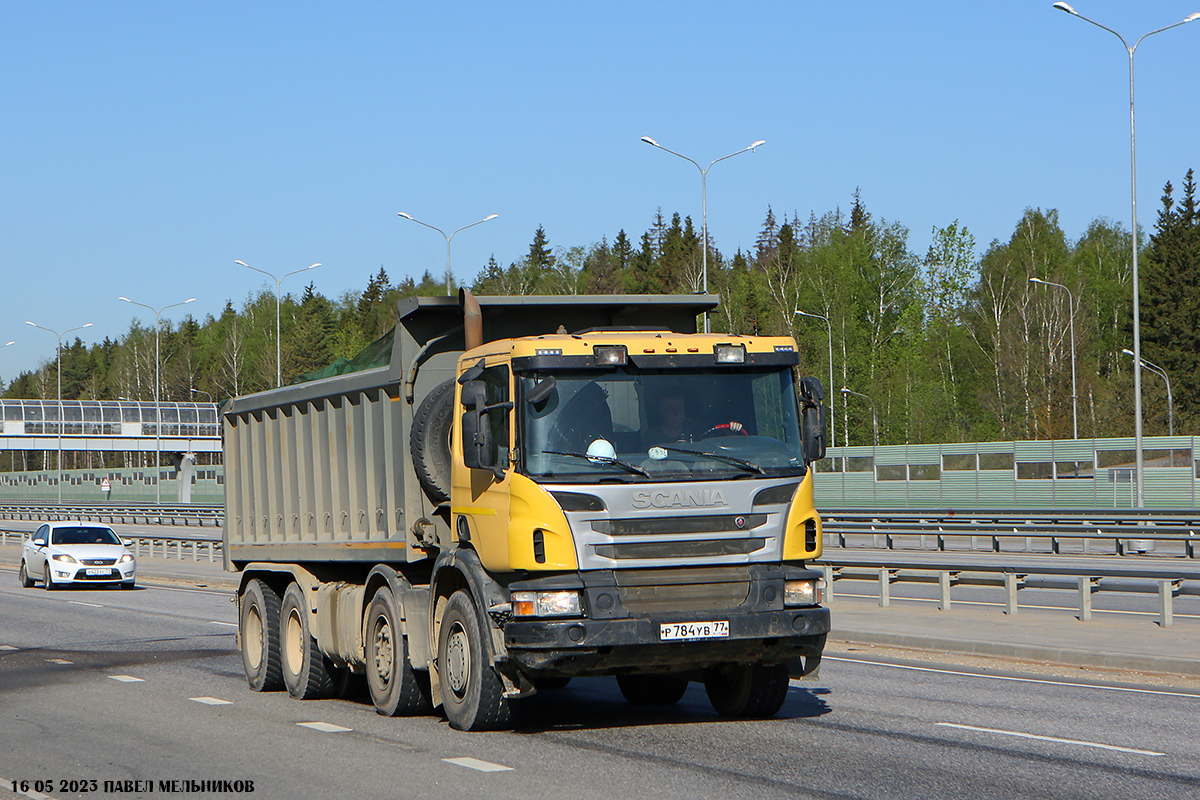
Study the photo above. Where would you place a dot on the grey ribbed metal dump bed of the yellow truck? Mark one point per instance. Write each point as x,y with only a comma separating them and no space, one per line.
321,472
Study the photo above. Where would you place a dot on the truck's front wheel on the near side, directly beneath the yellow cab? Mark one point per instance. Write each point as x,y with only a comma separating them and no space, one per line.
472,693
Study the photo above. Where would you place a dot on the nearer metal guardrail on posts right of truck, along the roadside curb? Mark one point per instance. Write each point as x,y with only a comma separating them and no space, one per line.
889,566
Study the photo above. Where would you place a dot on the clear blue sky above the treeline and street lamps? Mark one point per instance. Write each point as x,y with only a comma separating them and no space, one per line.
148,146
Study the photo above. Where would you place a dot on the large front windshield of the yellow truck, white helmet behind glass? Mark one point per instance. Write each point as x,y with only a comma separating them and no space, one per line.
656,425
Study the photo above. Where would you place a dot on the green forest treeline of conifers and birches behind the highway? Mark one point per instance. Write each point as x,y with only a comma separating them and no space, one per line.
950,346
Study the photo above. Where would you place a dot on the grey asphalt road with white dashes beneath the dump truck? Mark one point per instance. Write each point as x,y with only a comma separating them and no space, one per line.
122,687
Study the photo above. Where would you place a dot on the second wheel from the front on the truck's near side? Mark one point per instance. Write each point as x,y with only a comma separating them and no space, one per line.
394,685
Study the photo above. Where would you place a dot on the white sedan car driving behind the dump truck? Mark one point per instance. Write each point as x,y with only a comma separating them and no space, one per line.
65,554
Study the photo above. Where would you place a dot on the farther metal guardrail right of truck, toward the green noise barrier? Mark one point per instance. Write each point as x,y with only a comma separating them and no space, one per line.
1119,533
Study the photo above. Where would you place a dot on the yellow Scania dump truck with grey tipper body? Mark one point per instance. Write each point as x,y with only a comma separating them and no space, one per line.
512,492
